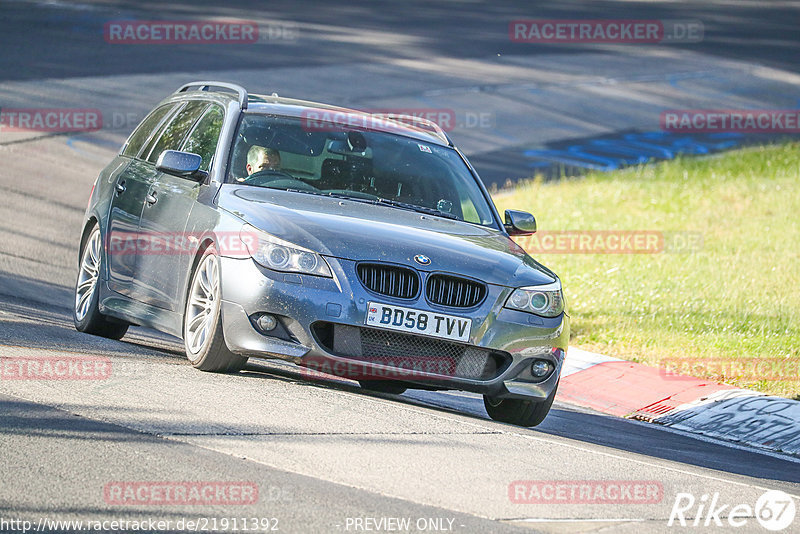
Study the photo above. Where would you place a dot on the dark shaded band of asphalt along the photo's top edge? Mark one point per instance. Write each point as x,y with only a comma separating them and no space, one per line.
761,32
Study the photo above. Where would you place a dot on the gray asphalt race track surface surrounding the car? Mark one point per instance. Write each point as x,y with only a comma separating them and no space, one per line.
324,455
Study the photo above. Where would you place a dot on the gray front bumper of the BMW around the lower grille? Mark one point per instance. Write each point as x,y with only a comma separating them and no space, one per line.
301,302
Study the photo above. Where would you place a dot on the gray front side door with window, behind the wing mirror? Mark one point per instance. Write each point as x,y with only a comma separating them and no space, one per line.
160,273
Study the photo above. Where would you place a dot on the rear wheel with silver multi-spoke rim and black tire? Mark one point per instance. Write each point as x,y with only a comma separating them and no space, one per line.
85,310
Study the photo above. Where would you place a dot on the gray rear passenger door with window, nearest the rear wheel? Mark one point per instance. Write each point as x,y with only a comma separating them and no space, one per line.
130,189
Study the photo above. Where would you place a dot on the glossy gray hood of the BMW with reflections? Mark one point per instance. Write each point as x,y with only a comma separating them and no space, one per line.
360,231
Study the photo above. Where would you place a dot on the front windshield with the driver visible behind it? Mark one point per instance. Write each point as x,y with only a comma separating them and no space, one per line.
368,166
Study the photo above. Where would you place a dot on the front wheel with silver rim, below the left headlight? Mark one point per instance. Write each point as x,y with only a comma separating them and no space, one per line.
202,320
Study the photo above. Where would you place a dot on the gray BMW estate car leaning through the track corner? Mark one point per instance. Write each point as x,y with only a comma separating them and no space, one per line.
349,243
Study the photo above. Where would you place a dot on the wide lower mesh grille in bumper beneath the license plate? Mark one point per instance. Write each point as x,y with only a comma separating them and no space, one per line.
410,353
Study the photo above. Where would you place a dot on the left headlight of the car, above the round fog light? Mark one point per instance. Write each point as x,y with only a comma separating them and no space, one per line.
281,255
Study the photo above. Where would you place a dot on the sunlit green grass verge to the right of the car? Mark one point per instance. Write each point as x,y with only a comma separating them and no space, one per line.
727,308
